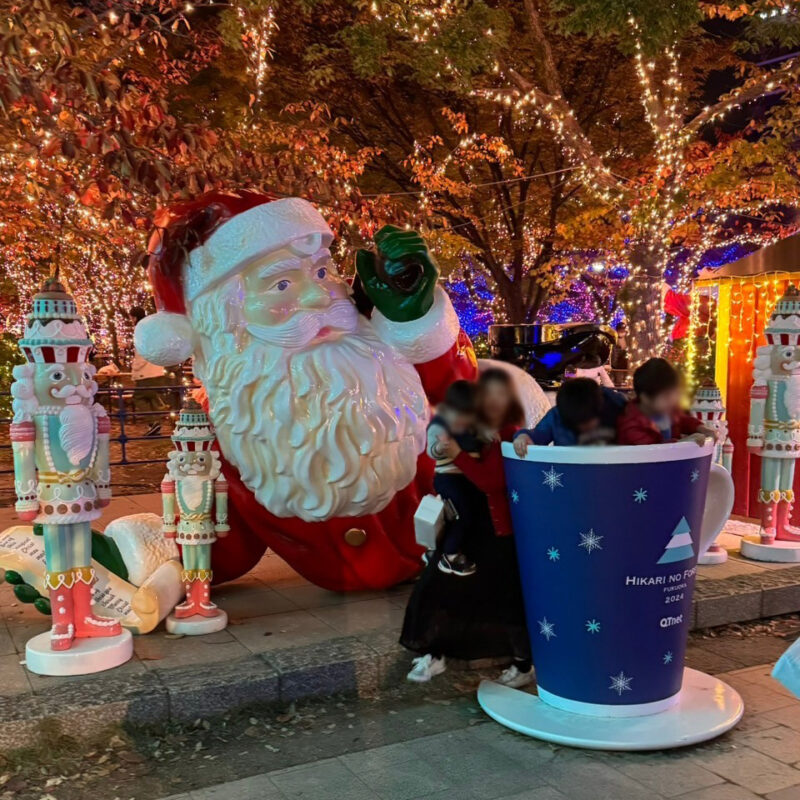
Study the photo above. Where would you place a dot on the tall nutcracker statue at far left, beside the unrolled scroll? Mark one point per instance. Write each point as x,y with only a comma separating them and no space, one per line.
59,436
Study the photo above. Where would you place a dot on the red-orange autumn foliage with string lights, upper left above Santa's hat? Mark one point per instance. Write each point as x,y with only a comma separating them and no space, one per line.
102,120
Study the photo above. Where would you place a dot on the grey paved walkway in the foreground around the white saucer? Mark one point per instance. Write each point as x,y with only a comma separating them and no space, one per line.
482,760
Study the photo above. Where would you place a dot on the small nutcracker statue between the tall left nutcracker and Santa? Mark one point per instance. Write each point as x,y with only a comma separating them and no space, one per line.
192,491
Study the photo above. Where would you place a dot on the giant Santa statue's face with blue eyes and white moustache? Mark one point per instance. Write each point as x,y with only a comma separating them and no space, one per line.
293,297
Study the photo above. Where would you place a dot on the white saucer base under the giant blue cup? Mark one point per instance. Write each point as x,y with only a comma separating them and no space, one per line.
706,708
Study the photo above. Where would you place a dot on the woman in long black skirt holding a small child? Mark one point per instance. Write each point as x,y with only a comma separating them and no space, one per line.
475,610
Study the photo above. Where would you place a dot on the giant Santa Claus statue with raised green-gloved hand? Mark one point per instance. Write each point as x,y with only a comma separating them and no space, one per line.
319,409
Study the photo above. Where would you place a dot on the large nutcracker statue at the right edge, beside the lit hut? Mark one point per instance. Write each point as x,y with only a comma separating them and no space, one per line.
774,431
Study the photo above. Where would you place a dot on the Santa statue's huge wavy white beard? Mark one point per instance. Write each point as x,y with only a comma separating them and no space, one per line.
317,429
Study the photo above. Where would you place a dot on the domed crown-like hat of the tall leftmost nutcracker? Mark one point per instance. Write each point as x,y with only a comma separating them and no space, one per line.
54,332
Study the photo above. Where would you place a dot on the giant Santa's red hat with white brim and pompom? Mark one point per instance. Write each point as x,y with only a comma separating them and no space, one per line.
198,244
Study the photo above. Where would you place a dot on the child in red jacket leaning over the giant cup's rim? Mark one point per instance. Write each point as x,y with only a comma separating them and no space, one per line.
655,416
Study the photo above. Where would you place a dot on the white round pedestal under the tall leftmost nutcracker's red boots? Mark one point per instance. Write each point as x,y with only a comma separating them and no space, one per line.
83,658
